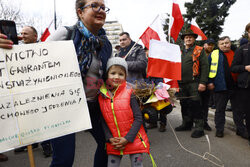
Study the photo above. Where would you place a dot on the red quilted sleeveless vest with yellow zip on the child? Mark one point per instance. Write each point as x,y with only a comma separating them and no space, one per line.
119,118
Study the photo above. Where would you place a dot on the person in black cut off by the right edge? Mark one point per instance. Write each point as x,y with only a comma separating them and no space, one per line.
241,65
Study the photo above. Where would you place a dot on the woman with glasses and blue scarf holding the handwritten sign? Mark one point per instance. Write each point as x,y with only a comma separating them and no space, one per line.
93,50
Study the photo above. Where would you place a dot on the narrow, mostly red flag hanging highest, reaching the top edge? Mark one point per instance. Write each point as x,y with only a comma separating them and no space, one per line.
178,20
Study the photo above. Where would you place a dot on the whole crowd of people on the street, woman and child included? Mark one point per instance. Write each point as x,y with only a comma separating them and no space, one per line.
220,73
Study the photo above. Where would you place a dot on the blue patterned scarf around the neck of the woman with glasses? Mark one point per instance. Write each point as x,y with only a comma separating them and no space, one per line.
89,47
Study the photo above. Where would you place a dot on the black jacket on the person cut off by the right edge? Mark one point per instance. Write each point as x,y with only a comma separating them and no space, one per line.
242,59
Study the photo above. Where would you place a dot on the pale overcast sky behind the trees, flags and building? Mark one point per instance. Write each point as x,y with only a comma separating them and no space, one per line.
134,15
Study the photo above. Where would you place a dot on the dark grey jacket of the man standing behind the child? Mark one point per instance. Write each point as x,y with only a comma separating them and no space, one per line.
137,62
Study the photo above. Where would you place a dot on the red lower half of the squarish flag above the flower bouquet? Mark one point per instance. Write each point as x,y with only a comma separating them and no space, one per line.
164,69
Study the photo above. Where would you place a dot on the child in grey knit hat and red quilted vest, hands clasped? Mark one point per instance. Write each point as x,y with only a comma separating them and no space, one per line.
122,116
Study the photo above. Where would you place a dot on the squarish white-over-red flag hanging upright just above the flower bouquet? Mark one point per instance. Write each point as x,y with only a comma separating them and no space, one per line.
164,60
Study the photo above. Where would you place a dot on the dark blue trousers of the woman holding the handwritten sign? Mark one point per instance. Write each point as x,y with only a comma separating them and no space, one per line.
64,147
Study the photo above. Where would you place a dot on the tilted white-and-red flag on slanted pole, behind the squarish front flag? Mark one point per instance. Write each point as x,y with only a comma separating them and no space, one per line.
154,31
